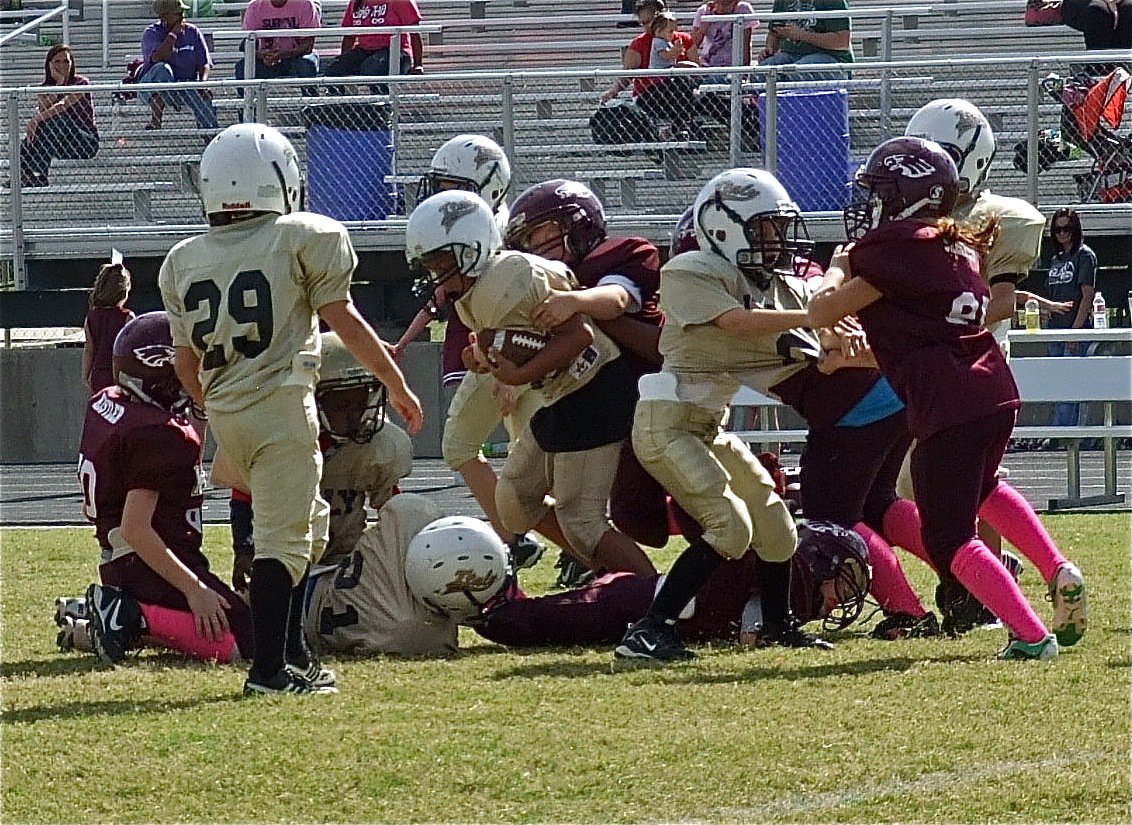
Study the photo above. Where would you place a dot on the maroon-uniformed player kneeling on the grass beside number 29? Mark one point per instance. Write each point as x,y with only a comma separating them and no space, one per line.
140,470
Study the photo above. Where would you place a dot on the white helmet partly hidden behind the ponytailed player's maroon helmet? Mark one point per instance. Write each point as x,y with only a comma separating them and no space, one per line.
959,127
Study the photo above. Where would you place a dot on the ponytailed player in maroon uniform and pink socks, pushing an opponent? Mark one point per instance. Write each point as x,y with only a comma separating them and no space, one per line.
914,280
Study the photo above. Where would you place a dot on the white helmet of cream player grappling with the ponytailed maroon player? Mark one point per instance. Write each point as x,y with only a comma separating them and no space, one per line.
727,216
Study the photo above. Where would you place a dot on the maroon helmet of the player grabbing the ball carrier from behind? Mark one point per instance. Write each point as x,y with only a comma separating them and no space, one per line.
570,204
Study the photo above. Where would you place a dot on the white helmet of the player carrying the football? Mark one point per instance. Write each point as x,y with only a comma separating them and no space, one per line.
457,222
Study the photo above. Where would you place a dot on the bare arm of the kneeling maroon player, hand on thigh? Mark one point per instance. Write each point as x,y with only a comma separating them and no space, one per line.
207,605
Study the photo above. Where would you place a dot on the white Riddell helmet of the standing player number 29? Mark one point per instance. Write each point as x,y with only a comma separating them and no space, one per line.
251,168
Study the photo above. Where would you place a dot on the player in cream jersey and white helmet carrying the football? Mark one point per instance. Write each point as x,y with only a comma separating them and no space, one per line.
571,446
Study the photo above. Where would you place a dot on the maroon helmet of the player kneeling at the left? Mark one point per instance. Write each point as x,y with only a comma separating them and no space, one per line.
143,363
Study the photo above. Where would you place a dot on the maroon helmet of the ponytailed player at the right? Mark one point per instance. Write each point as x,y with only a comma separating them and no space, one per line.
904,178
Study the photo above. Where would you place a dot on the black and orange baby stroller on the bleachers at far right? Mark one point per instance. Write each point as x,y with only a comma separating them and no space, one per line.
1092,110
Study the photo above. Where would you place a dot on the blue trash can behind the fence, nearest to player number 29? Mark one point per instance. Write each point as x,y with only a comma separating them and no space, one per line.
349,154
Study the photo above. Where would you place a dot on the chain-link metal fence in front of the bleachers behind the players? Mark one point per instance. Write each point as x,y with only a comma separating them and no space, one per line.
364,148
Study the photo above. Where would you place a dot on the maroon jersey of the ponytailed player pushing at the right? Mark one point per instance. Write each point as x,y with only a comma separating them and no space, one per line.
927,330
